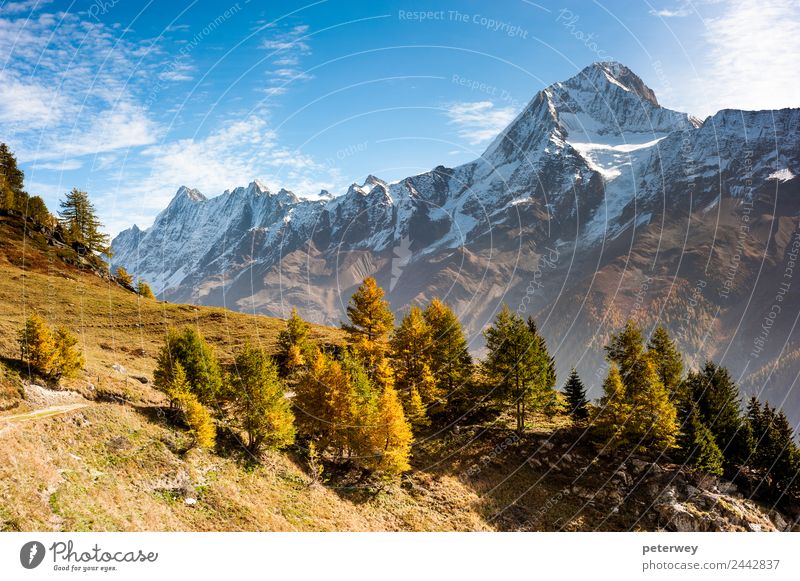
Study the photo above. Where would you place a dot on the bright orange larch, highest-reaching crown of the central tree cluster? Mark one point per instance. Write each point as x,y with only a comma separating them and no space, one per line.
371,321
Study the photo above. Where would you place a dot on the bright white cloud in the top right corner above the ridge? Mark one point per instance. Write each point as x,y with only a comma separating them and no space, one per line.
752,59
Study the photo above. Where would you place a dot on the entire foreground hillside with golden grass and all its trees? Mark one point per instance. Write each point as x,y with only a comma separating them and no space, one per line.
120,412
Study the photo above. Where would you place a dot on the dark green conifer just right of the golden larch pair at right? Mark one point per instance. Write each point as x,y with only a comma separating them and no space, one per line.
717,398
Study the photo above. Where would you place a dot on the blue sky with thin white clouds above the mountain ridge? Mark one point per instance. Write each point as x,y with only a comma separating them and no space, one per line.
129,100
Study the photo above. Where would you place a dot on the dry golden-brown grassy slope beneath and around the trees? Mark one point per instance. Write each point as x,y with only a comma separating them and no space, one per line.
97,453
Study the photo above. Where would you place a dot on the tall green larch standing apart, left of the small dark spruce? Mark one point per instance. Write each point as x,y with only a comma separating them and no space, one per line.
516,364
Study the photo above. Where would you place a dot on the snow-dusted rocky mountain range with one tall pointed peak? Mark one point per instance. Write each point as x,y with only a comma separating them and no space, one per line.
595,205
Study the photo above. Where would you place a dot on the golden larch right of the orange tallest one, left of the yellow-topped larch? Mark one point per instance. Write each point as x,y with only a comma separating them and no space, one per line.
411,345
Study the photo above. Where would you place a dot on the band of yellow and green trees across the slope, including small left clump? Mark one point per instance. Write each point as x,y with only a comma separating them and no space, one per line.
364,402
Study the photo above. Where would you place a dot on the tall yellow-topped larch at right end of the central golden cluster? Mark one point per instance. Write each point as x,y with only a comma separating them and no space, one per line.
450,361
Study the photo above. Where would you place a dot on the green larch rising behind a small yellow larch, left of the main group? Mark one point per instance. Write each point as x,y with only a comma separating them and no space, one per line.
203,374
